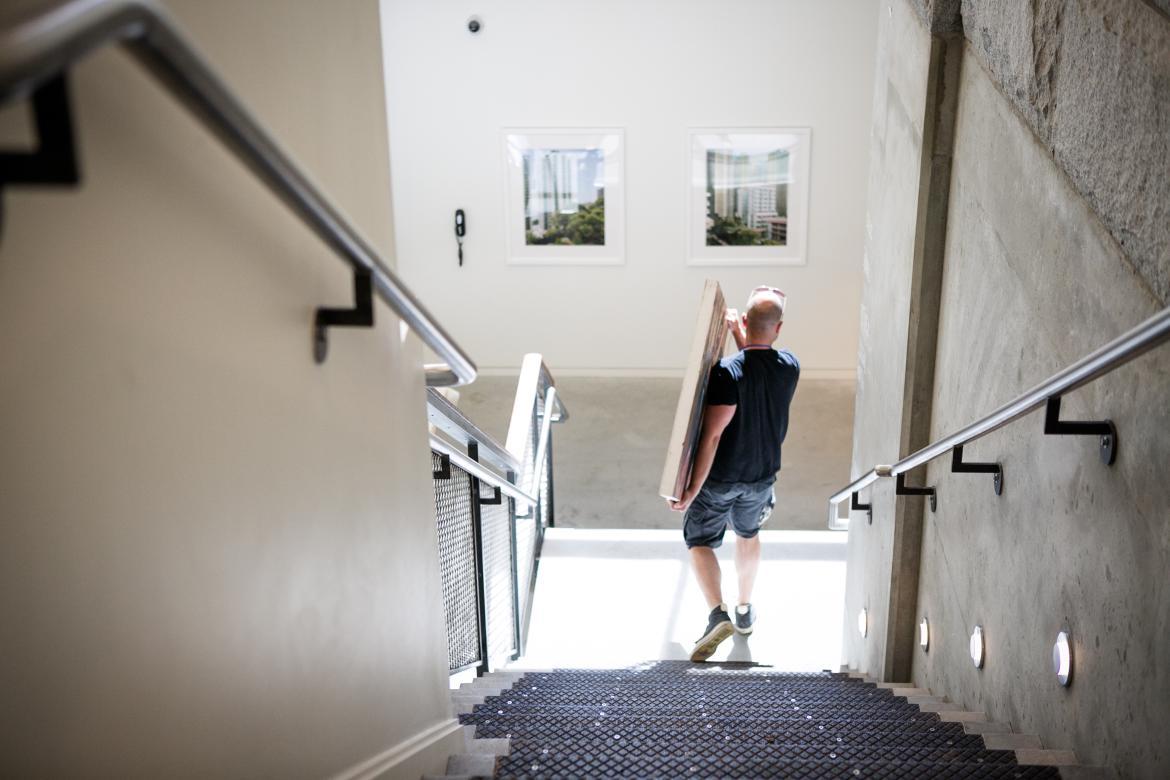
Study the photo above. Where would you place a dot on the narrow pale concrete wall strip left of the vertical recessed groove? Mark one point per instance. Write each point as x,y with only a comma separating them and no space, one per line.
896,155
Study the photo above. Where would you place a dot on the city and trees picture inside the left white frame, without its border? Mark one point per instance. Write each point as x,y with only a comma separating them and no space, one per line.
565,197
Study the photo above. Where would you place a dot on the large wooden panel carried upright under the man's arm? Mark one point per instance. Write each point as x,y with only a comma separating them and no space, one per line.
707,347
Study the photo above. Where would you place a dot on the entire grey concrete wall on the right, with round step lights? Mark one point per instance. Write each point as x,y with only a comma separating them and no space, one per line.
1043,264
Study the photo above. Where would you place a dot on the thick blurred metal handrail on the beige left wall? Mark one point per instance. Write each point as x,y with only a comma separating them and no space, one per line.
43,45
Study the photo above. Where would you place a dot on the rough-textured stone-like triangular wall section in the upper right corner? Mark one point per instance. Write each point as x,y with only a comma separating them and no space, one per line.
1092,80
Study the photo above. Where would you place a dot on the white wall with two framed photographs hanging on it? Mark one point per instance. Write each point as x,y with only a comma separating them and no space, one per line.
655,68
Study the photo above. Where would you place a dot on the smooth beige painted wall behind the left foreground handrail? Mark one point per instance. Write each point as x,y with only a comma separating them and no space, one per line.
217,558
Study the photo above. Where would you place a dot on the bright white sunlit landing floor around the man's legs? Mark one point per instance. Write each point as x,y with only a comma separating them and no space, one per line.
615,598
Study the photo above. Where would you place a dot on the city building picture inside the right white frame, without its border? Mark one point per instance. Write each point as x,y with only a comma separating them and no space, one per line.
747,198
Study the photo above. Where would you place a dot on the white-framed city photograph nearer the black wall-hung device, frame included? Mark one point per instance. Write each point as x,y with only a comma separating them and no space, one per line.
566,201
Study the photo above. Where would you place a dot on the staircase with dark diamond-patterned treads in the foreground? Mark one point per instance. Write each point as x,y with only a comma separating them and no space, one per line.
678,720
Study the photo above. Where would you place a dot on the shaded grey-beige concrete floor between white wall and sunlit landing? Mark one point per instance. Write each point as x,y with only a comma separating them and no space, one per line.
609,455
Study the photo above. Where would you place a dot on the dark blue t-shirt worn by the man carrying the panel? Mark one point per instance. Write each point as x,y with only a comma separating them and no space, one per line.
760,383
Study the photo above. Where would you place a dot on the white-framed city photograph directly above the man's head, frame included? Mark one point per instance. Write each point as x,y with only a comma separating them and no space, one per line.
749,197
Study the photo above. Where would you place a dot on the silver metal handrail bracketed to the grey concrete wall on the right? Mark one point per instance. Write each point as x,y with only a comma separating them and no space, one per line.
1118,353
